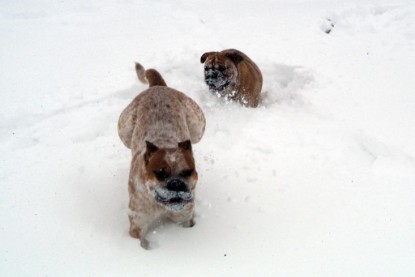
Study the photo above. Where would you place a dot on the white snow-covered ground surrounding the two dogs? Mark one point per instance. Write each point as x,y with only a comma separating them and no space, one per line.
317,181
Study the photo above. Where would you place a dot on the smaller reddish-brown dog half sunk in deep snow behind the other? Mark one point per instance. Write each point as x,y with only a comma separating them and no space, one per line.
233,75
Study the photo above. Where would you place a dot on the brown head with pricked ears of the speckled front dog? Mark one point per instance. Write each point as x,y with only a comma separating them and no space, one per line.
171,175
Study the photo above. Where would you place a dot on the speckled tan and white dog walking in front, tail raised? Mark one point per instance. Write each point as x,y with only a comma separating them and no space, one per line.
159,126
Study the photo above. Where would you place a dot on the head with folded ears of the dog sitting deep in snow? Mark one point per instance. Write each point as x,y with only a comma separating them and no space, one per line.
220,69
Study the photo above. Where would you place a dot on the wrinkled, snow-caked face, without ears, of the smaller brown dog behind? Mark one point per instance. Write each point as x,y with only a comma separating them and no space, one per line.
220,72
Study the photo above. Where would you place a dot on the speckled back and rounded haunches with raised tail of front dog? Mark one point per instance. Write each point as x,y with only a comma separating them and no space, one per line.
165,111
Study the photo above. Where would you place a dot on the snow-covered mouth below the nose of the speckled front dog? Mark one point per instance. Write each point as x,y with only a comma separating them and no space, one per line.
173,200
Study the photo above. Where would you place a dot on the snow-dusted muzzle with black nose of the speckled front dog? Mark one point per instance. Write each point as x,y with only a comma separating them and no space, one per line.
175,196
